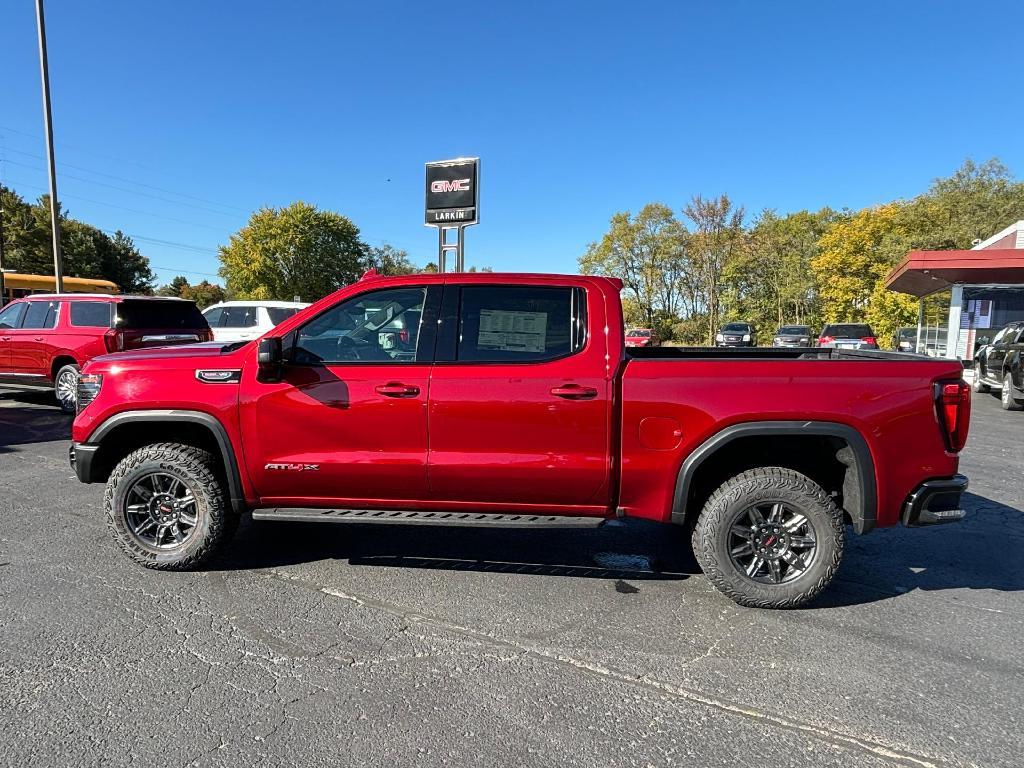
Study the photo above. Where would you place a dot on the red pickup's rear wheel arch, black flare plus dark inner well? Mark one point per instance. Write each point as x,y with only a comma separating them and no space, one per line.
850,467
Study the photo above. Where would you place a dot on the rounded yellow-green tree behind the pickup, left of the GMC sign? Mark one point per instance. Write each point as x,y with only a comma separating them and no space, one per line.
295,251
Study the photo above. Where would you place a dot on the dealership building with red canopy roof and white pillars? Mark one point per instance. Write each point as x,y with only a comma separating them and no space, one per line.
987,287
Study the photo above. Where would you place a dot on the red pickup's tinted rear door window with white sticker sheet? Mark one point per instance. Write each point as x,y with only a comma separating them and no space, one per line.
520,324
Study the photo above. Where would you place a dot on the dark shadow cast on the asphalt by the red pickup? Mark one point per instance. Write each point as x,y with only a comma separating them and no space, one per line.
978,553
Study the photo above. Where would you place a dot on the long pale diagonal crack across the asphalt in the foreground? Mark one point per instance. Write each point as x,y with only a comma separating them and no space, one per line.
831,736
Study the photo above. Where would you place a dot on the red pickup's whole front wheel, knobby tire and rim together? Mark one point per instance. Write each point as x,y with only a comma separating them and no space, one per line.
167,508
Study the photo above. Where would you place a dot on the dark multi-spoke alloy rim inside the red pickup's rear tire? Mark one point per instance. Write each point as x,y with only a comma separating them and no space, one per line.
772,543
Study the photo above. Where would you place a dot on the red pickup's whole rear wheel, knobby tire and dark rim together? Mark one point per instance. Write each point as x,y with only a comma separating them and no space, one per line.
771,538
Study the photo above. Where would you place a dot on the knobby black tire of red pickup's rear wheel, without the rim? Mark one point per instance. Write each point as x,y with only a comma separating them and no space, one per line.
765,486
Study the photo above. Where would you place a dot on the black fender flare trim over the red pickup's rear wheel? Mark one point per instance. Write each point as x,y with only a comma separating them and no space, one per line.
864,518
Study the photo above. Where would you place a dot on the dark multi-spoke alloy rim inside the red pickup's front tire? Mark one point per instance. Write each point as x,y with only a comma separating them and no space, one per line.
160,511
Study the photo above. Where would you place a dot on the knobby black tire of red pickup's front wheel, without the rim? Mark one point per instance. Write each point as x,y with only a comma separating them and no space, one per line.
217,522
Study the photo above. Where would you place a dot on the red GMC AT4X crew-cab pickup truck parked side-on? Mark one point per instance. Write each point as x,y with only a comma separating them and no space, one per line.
510,400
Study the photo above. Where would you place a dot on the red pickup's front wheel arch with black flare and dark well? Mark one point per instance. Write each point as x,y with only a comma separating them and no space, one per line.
124,433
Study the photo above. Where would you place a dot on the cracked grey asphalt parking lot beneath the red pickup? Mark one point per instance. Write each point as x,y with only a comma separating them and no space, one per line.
403,647
